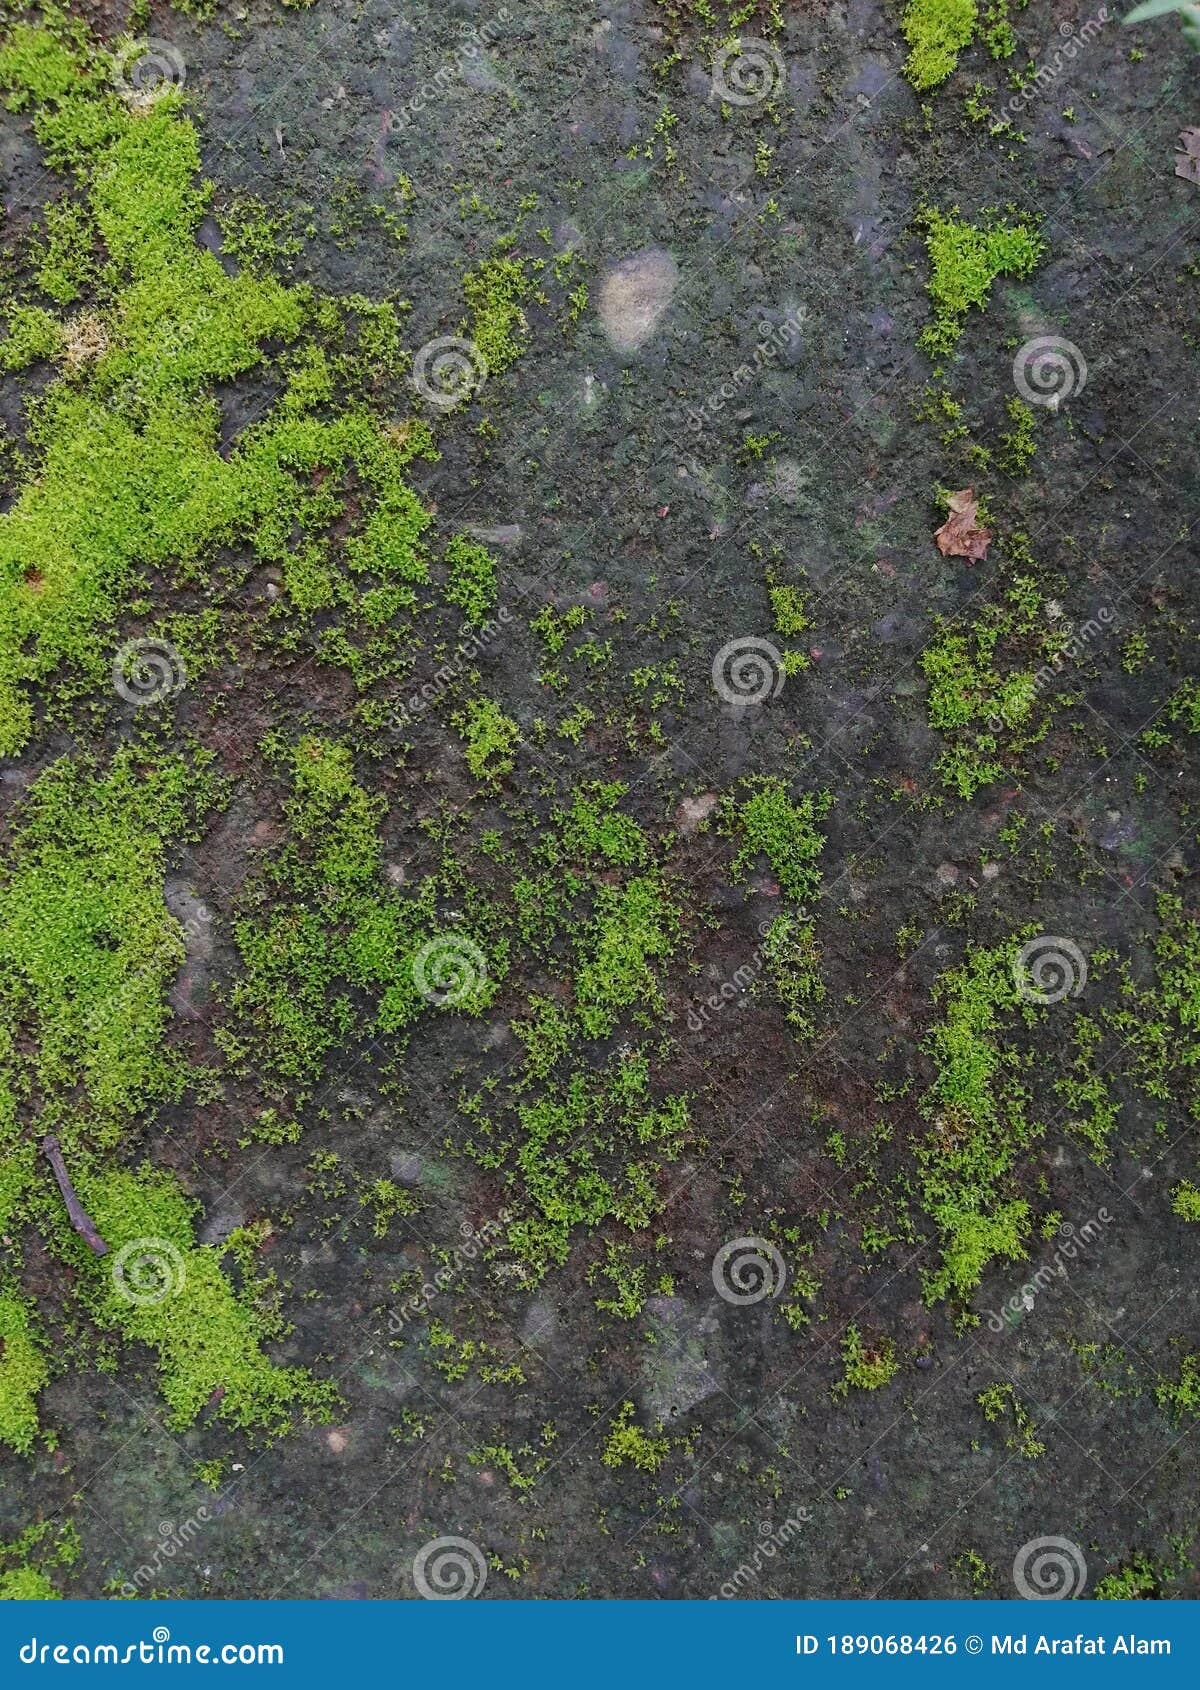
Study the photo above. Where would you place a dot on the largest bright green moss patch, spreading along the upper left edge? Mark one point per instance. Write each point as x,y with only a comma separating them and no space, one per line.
126,479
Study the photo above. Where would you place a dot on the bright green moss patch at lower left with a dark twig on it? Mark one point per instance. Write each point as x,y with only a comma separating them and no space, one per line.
87,956
